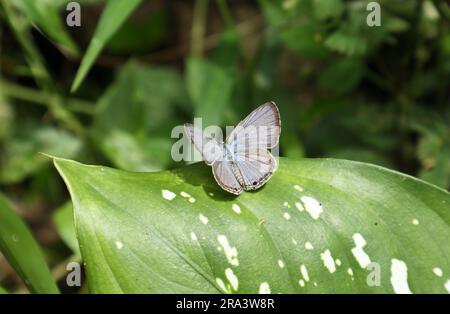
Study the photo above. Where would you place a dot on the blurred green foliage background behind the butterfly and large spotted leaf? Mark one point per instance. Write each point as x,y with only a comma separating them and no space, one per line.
344,89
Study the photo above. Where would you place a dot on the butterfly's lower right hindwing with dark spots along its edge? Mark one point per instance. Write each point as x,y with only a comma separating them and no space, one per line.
255,168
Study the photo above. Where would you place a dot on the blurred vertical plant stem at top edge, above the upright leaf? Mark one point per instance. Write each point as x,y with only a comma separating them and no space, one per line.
198,27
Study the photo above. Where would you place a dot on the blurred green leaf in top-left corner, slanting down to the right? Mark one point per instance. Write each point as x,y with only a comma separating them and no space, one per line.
45,14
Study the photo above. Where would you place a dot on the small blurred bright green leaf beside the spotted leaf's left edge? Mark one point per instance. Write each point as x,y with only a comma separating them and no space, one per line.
63,221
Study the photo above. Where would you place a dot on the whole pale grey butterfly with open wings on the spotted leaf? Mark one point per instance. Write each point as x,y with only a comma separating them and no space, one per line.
243,161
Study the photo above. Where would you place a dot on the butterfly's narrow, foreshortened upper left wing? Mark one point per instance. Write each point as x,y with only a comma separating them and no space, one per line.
210,149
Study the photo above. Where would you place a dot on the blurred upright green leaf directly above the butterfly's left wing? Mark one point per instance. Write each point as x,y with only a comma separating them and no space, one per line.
210,87
